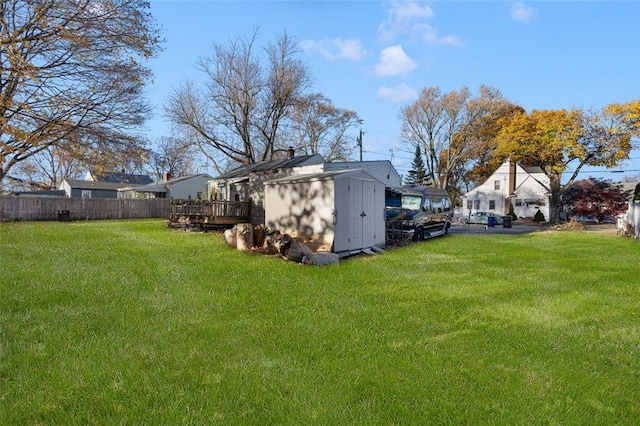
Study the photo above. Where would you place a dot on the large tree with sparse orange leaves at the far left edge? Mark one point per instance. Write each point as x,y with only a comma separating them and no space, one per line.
70,72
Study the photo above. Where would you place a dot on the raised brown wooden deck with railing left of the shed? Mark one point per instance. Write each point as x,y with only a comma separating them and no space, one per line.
208,214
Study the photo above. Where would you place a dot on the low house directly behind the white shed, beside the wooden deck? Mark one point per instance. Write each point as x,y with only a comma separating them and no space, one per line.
246,183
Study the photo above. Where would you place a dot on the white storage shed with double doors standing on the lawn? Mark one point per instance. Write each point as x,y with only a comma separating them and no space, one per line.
344,210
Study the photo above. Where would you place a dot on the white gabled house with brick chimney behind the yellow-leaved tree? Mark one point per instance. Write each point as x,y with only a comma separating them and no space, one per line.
527,188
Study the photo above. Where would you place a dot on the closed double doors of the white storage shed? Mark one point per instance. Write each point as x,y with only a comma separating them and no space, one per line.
361,213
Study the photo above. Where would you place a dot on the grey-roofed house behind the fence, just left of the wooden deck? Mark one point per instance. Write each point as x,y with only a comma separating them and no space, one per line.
182,188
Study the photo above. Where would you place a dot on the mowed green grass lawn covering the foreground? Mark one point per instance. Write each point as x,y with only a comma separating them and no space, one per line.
129,322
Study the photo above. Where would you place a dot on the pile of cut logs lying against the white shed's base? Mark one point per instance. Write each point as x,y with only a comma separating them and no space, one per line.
261,240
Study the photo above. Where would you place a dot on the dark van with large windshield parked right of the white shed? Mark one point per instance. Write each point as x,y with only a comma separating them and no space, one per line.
419,211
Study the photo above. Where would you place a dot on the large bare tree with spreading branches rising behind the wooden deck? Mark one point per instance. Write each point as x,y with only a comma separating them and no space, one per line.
238,116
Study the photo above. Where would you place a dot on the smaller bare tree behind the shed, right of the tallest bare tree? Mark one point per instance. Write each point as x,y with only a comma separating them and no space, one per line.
318,127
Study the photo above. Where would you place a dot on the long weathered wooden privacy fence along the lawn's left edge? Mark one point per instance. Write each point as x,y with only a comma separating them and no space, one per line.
29,208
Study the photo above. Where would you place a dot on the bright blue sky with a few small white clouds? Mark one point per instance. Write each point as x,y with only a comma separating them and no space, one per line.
375,57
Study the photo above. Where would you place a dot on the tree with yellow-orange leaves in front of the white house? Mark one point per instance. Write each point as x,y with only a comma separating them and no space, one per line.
554,139
